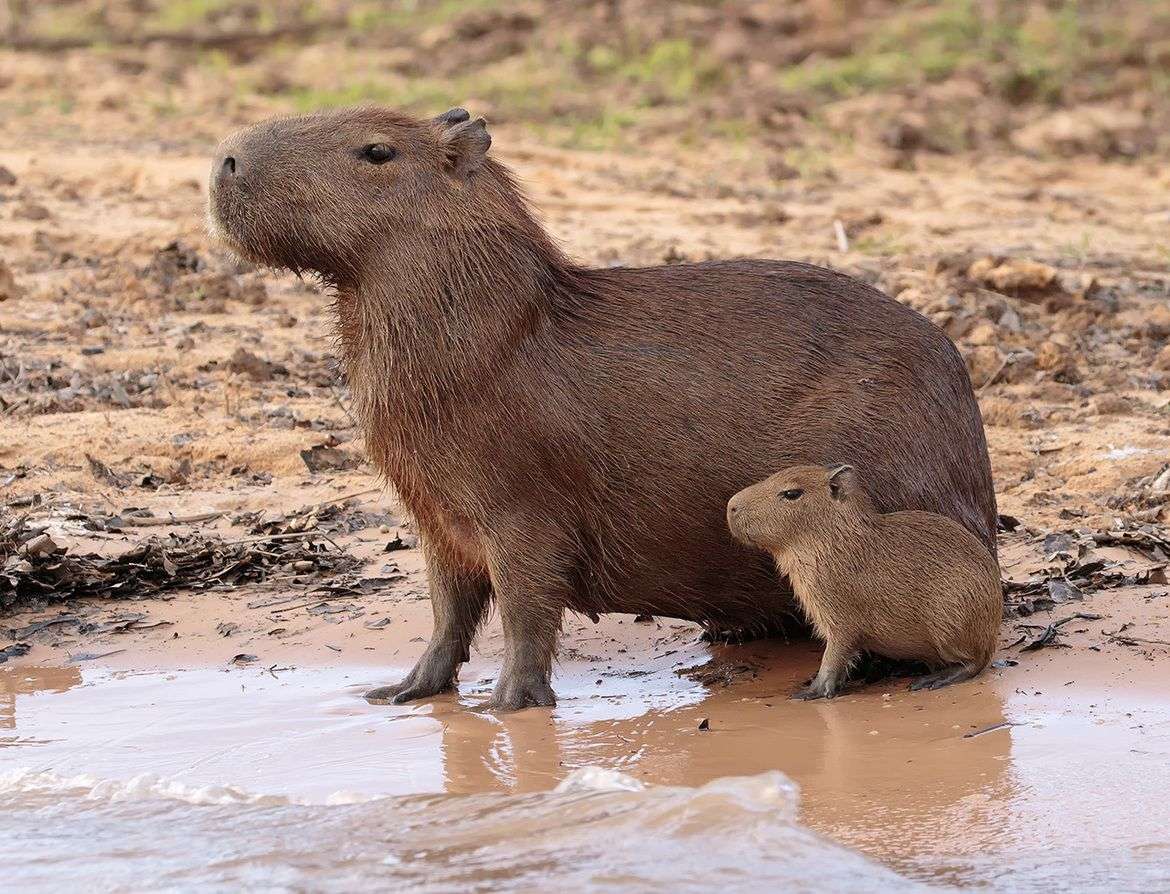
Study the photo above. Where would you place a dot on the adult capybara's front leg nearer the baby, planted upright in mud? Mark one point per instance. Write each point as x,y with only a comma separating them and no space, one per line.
532,606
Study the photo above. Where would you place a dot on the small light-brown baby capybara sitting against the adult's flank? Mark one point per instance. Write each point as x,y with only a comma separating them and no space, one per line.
906,586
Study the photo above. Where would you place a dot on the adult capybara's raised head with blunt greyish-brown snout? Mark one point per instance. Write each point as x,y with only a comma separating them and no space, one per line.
324,192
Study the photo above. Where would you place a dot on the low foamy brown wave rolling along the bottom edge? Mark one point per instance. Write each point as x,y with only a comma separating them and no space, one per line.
600,830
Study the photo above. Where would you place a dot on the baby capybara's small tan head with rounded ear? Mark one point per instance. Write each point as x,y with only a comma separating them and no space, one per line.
795,501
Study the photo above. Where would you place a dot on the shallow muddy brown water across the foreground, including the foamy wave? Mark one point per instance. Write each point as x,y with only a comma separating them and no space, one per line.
1048,776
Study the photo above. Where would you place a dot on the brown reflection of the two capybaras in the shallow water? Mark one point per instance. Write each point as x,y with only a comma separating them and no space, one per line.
877,767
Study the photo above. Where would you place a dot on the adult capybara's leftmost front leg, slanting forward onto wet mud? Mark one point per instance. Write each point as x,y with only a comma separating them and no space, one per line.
459,602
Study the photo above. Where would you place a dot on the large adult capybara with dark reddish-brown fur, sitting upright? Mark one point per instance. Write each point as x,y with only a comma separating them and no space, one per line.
568,438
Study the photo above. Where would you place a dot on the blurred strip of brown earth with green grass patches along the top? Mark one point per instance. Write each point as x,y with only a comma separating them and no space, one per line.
942,77
